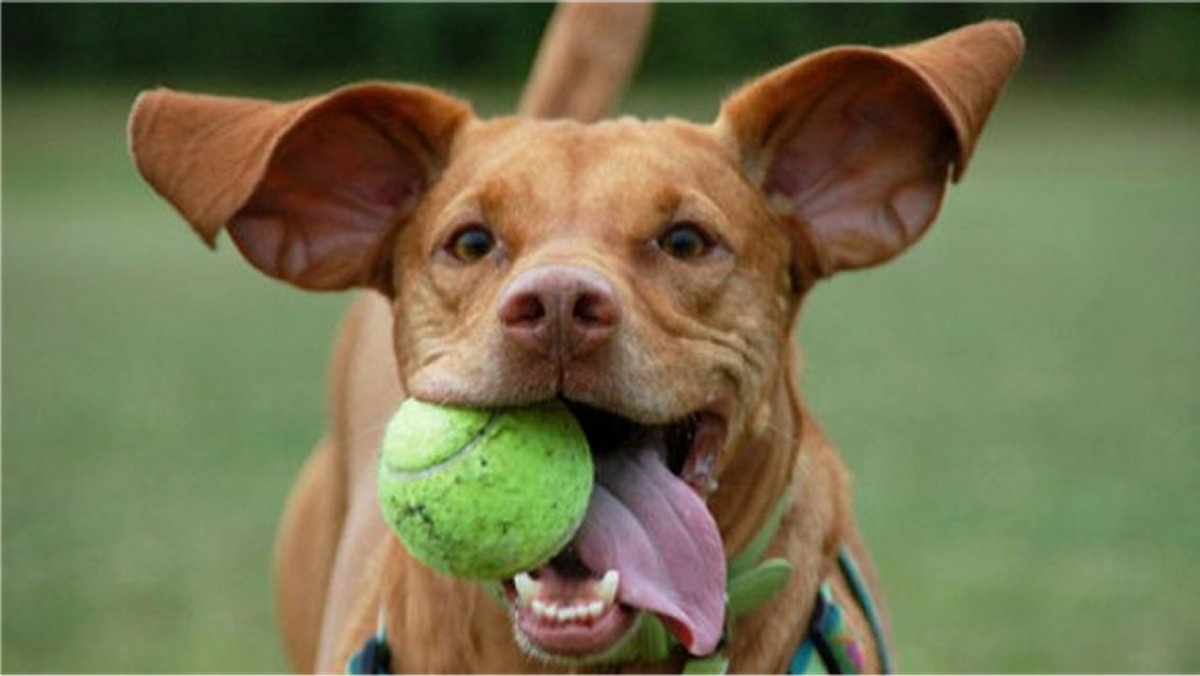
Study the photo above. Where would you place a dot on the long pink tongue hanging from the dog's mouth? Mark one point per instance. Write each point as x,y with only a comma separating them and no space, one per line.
649,525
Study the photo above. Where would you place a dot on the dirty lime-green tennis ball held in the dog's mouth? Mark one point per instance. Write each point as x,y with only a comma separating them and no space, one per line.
485,494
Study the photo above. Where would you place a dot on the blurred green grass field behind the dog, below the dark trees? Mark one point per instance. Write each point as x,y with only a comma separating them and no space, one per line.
1017,399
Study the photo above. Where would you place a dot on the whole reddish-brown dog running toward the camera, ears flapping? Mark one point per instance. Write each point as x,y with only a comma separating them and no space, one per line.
649,273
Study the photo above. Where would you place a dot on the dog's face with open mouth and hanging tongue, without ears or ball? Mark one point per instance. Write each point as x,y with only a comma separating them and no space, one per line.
631,270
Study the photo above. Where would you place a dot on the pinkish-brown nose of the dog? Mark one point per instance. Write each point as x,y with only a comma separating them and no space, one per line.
560,312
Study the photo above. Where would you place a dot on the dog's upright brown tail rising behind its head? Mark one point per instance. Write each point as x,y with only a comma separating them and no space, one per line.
589,53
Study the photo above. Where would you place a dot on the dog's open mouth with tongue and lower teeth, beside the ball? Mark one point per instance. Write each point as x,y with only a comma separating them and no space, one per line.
649,545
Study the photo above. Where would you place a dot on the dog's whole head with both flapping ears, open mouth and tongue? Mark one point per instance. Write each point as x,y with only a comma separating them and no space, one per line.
649,273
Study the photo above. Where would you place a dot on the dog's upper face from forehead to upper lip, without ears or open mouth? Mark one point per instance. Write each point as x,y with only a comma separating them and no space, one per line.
628,267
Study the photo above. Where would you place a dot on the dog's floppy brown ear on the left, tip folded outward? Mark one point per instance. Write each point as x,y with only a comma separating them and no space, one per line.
311,192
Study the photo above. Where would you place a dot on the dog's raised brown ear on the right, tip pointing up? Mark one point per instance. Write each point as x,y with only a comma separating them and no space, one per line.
854,146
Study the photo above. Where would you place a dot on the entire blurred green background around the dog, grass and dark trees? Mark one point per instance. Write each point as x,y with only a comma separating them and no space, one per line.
1018,398
